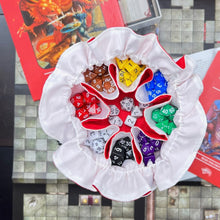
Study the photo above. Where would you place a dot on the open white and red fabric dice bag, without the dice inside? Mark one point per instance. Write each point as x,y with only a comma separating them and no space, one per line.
94,171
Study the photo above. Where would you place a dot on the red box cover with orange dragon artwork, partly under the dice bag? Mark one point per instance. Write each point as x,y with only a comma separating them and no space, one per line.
43,29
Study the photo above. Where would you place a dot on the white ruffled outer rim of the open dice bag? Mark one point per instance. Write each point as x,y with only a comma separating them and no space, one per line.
93,171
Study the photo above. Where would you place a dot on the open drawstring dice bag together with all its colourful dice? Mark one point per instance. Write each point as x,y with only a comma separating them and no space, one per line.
126,114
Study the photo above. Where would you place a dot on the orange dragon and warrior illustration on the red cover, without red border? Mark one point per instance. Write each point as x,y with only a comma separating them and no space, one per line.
54,25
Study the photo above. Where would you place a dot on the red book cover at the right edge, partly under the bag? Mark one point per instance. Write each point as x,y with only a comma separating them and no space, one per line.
207,162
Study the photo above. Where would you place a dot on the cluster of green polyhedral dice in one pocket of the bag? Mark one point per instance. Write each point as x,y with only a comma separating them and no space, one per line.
164,118
